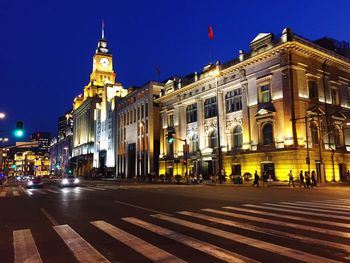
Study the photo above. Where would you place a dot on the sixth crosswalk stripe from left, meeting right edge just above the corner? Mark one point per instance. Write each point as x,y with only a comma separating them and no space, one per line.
268,231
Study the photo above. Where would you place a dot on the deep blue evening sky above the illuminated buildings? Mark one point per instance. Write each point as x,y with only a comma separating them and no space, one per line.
46,47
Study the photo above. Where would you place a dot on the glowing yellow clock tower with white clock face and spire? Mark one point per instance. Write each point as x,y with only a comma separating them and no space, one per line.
102,69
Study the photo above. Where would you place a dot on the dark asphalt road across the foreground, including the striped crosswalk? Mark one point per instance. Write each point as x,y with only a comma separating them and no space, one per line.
109,222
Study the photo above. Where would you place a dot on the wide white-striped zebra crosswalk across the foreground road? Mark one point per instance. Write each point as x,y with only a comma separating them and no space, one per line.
273,232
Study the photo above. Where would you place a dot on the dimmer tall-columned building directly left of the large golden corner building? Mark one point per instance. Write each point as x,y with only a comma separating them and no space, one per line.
138,131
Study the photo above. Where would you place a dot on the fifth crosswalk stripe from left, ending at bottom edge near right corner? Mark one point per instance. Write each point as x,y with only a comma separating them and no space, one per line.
280,250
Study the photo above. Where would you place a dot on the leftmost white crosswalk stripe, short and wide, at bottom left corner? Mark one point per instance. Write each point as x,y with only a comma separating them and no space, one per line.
24,247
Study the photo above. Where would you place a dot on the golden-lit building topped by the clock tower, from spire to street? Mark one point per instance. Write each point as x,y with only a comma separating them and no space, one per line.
84,106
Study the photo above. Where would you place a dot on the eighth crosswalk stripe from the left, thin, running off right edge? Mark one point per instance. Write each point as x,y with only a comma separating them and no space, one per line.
290,217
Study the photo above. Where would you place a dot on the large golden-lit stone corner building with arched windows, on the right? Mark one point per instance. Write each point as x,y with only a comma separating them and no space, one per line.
282,105
